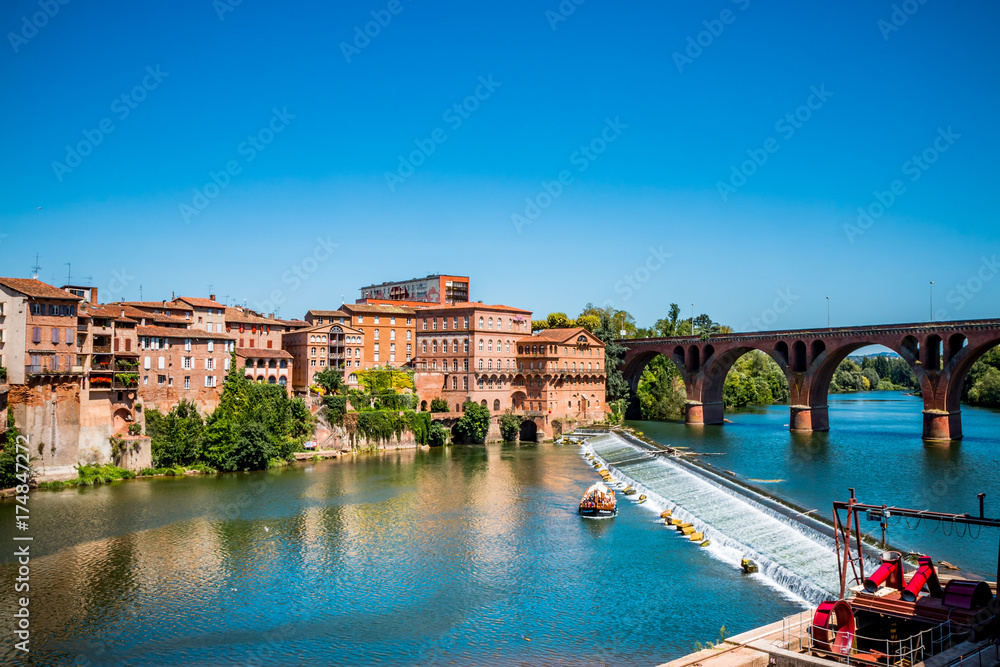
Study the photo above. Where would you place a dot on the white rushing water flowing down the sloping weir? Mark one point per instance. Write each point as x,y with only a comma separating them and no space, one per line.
793,556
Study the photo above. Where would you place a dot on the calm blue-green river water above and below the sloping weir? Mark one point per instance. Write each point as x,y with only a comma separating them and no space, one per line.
466,555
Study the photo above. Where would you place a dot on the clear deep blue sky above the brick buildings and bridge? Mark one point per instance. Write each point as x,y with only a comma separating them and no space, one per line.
656,185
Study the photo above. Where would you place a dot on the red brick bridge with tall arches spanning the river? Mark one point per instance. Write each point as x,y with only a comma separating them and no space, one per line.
940,354
